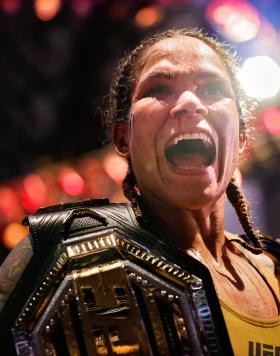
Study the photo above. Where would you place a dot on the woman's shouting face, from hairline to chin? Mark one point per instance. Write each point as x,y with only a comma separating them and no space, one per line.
183,131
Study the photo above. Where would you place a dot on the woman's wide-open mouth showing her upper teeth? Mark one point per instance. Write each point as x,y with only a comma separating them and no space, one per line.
191,151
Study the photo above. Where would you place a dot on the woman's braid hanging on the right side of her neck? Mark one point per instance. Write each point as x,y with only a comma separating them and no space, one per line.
238,201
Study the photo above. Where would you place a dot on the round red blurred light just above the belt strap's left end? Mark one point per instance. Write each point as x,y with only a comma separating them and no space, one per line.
34,194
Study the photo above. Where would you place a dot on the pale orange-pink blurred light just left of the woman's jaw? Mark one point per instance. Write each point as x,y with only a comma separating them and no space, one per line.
115,167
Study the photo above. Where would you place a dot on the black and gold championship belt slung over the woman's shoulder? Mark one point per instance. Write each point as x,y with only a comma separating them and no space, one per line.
99,284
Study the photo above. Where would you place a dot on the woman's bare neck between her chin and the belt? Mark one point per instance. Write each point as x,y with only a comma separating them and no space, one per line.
200,230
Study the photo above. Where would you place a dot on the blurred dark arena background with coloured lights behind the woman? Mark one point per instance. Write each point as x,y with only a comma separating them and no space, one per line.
56,63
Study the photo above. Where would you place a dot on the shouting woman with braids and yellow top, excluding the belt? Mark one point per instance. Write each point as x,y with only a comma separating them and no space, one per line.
180,118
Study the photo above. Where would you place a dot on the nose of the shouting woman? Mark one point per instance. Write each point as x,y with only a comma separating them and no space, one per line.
188,105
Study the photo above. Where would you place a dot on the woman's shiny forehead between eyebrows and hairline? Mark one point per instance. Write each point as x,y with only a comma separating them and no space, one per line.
186,54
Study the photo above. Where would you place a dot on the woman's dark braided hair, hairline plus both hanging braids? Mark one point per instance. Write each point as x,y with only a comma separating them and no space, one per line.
119,107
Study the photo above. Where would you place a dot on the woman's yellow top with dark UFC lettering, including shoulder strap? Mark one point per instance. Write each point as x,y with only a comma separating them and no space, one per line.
252,336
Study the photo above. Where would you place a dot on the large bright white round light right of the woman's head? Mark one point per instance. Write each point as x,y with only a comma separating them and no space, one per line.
260,77
